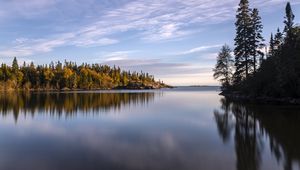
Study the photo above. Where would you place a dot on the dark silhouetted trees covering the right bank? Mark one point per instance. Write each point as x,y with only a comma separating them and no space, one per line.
258,68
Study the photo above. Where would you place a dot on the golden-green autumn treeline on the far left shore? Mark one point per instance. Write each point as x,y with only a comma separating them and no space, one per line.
69,75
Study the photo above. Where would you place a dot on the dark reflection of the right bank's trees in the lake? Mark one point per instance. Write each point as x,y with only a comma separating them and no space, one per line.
254,122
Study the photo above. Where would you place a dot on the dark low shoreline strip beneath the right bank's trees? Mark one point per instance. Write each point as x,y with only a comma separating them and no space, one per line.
260,99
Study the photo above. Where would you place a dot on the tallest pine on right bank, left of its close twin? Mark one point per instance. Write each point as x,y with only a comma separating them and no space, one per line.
242,49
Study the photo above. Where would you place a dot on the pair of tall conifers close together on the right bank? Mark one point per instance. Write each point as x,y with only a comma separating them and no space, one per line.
248,41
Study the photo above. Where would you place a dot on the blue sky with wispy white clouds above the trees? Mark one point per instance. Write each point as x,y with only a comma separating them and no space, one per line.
177,41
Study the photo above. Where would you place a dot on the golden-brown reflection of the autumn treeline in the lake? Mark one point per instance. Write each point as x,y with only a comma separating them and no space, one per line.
58,104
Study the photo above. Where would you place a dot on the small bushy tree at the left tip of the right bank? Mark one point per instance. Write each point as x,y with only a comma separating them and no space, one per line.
223,68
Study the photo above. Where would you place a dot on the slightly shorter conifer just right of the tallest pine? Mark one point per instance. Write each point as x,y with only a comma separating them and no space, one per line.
256,37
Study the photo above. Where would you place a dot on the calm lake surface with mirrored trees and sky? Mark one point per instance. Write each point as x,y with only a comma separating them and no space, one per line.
178,129
